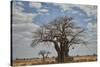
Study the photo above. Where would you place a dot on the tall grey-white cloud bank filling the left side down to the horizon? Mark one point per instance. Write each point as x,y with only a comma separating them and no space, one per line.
22,28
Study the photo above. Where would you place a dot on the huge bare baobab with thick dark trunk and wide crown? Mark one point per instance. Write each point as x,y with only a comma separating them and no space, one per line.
63,33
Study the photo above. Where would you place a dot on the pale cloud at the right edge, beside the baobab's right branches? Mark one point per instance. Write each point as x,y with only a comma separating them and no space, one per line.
91,34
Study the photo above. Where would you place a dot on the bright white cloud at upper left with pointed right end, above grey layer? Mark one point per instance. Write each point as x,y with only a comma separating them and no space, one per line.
21,17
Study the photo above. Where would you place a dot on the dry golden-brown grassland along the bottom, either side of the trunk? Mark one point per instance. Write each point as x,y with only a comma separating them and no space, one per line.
39,61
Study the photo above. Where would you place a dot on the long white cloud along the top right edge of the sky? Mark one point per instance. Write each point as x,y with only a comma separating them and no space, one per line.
88,9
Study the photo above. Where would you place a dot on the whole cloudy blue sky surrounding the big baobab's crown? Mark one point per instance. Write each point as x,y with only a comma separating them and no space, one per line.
29,16
